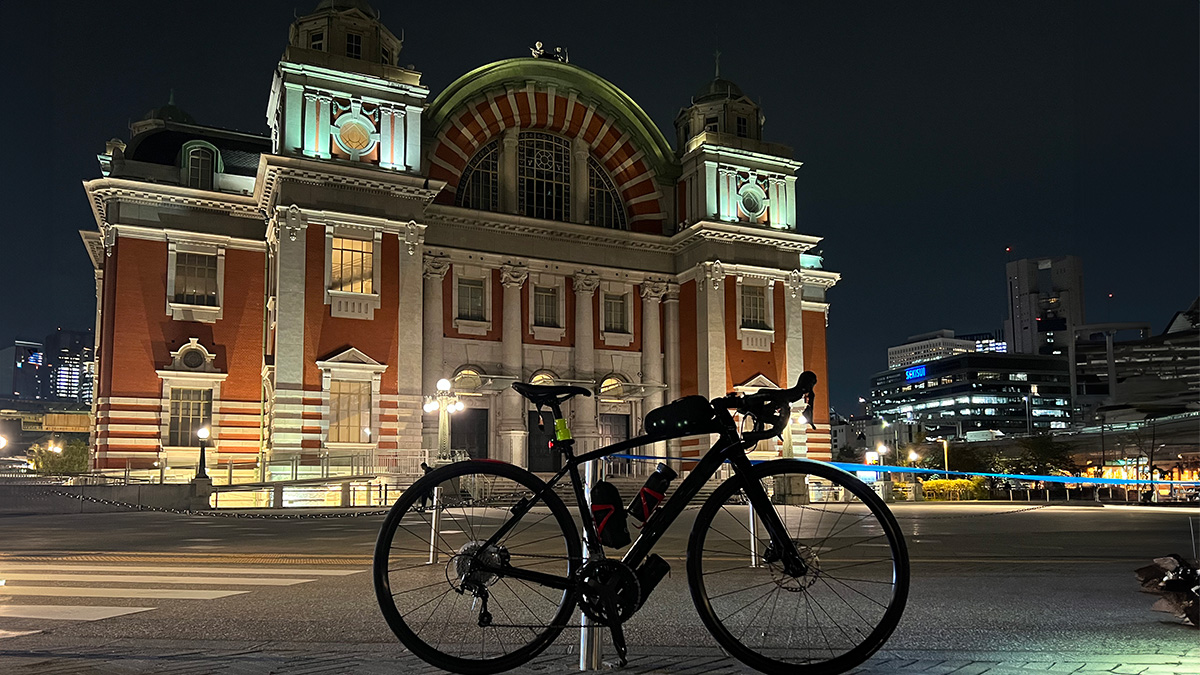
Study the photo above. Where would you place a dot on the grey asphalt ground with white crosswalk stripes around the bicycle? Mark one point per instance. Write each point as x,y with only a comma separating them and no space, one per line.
997,588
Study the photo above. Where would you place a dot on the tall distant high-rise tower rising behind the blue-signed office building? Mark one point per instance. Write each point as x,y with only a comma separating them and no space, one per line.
1046,300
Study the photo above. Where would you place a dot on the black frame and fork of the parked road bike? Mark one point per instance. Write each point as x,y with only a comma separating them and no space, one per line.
730,447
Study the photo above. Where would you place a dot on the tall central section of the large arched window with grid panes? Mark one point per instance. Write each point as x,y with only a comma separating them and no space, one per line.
544,177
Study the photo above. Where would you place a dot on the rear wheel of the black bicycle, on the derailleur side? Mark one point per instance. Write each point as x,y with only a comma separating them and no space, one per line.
452,613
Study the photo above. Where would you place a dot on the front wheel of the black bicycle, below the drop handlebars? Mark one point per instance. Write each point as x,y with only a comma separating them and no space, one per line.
830,619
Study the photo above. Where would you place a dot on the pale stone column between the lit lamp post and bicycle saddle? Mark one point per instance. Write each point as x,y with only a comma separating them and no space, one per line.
513,423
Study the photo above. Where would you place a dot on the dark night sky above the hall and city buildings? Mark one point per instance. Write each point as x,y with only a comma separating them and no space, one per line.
933,135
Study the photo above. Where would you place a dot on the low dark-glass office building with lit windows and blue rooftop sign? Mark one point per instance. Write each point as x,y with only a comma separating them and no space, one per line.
1007,393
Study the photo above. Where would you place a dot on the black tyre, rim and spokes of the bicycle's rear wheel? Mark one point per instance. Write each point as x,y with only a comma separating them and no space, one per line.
383,569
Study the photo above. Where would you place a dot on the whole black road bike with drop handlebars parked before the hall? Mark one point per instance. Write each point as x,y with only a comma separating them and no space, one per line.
794,565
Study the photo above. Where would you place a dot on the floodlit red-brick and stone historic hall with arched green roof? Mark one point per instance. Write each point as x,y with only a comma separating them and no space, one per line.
304,290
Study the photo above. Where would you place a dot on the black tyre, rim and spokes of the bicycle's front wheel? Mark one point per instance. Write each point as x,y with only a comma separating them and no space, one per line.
825,568
